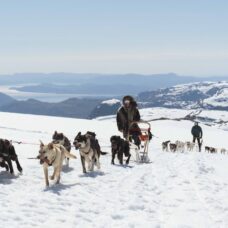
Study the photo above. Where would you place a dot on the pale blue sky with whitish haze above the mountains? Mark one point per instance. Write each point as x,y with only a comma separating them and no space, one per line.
187,37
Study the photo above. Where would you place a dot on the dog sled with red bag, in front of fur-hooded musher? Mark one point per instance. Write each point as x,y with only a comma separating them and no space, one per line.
140,153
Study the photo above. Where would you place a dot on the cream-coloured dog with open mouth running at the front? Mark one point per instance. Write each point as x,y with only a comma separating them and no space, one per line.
53,155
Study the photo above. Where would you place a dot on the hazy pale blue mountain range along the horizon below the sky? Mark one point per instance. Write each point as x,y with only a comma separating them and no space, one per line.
97,84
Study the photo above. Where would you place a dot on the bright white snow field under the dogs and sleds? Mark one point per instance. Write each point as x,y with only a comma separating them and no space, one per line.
174,190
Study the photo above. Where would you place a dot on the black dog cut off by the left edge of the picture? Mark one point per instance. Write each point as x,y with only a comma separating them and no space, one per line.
7,155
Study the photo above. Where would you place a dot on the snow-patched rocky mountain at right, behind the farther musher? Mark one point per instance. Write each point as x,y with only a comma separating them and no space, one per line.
207,95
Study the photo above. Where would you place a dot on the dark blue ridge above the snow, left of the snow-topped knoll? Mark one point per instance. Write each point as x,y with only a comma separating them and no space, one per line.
75,108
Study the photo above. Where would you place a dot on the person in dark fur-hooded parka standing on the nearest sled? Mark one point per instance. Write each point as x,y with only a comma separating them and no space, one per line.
127,114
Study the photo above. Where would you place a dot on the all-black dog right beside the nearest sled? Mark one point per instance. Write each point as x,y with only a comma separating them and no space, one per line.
120,147
